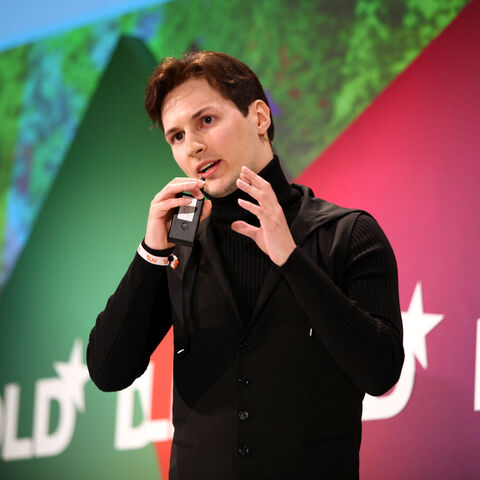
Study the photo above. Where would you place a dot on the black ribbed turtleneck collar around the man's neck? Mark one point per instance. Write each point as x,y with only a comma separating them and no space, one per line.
227,208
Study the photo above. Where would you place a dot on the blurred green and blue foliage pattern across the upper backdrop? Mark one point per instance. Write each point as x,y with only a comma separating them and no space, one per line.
321,62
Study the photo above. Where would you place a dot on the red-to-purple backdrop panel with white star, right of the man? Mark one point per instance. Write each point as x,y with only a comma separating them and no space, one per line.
412,159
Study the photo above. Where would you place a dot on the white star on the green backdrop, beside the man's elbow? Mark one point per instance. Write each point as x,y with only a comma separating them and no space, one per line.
74,374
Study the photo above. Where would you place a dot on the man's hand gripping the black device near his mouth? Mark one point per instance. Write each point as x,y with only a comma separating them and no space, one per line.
161,209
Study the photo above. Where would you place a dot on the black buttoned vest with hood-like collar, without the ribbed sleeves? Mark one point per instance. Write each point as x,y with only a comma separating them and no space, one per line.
265,400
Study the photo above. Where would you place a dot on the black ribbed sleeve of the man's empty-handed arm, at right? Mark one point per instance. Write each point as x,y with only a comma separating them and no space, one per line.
361,327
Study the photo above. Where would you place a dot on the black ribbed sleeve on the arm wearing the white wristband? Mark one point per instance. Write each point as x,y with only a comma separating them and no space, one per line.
135,319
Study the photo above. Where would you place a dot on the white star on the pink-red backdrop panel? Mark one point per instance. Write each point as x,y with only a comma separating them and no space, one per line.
416,325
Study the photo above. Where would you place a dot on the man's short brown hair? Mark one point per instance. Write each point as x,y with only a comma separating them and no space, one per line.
232,78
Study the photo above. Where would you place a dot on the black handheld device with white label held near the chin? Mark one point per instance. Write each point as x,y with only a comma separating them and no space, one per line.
185,221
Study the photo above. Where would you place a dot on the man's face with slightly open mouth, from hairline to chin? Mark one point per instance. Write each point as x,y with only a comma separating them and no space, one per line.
209,136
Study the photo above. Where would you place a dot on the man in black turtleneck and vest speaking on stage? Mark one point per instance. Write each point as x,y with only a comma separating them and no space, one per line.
285,311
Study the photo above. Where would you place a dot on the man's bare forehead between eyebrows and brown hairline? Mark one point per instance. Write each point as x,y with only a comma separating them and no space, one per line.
188,98
